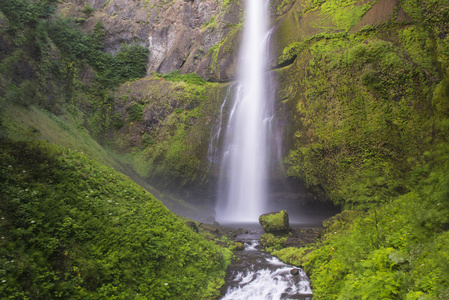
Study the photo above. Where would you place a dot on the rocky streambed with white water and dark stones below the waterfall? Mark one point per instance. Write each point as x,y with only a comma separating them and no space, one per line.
255,274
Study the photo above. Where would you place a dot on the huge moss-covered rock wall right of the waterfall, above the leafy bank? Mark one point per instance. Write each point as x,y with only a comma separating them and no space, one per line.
365,104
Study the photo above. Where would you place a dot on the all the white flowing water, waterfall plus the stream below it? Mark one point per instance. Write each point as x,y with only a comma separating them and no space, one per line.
244,159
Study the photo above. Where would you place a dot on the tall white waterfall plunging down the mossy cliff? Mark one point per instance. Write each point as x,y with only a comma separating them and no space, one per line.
243,176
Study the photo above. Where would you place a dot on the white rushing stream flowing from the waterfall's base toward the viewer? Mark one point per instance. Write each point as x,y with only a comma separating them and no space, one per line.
254,274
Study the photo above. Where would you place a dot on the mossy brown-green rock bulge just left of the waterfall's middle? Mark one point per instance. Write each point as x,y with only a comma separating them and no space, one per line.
178,113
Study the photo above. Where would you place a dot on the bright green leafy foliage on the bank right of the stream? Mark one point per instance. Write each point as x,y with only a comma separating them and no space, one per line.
397,251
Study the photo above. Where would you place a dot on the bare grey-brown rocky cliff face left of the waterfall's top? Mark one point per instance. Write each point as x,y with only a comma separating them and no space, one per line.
190,36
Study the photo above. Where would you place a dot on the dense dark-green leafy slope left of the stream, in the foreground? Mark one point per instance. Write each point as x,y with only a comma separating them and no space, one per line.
71,228
